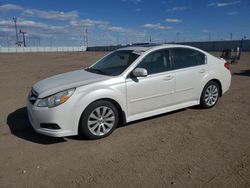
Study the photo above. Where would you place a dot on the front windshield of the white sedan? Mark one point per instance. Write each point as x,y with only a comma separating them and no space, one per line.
115,63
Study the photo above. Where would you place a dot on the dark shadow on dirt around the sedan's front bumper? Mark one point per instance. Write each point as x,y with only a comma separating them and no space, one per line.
20,127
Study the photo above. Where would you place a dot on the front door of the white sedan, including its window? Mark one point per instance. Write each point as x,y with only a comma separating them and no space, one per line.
146,94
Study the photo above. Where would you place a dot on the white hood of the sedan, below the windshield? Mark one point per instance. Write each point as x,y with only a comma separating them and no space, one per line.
60,82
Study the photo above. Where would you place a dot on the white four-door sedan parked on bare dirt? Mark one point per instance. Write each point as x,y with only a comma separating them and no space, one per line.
126,85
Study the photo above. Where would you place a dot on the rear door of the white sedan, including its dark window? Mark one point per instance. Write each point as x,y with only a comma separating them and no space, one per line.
190,67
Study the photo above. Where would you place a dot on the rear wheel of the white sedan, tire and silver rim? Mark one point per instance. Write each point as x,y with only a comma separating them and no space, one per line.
210,95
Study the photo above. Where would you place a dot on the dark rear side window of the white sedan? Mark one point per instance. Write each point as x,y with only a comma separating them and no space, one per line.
184,57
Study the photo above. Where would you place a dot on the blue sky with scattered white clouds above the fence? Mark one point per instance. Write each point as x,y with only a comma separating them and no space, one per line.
123,21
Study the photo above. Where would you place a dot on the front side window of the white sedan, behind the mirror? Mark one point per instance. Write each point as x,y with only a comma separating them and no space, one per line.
156,62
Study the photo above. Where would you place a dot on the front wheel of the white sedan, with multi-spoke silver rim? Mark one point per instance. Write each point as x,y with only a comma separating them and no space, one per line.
99,120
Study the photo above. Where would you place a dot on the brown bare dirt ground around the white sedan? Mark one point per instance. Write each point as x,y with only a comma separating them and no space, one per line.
187,148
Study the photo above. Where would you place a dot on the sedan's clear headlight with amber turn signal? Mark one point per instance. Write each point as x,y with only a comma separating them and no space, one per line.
56,99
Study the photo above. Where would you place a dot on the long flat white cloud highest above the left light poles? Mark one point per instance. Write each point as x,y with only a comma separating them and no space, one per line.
52,15
